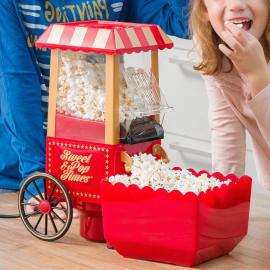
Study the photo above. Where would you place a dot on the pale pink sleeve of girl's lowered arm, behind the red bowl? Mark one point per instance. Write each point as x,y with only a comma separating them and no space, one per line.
228,137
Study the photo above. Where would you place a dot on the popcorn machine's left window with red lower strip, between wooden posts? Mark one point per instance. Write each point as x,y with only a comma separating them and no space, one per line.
81,97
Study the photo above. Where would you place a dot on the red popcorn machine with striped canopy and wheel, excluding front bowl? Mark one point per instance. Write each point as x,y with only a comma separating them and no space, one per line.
99,114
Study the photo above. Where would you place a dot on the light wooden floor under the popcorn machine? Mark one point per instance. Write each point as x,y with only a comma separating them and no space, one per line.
20,250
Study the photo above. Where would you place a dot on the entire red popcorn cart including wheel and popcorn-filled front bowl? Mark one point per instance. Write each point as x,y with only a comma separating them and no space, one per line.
104,154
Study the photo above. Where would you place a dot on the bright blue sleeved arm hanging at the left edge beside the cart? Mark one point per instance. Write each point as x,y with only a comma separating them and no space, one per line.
20,102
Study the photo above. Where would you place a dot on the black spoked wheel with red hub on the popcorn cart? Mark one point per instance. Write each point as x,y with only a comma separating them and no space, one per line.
47,215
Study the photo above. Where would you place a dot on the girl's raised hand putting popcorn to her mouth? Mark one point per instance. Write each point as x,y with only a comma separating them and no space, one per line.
247,55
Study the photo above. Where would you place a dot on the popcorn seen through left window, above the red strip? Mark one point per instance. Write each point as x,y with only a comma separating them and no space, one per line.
81,85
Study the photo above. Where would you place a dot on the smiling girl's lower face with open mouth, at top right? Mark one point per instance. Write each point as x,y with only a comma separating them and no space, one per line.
250,15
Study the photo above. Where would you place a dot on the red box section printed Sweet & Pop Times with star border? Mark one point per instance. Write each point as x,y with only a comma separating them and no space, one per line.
81,165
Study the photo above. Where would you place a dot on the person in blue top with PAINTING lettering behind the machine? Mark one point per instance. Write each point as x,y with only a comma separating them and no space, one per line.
24,71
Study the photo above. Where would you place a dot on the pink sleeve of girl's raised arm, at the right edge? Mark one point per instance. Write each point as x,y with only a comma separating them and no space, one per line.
260,106
